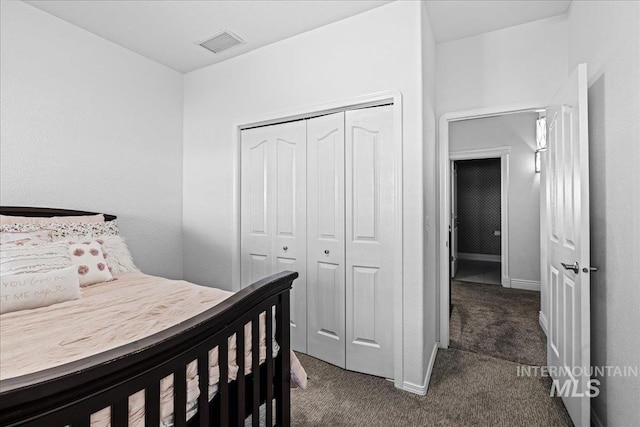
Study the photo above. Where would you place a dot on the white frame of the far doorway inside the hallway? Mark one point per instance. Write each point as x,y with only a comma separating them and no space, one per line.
503,154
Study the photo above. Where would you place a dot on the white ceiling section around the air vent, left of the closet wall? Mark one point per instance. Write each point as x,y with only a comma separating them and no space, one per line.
167,31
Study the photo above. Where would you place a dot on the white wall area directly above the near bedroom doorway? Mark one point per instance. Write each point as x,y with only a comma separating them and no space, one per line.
521,64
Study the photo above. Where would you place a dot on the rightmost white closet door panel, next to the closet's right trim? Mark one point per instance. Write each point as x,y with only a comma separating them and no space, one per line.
370,202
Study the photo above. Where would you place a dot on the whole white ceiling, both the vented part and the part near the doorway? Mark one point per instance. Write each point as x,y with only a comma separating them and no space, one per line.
168,31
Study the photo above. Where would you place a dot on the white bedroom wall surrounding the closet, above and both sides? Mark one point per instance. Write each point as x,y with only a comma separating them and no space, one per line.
375,51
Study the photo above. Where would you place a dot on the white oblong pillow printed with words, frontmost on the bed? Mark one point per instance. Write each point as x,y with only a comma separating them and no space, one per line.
32,290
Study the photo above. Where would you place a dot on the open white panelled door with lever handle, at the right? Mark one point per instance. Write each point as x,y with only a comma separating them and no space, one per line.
567,192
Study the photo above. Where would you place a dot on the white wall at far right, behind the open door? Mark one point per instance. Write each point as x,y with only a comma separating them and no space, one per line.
606,36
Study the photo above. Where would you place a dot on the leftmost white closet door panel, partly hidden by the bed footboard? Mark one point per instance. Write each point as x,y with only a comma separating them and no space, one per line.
255,223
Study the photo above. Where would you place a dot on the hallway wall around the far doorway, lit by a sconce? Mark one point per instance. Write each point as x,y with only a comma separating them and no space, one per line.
517,131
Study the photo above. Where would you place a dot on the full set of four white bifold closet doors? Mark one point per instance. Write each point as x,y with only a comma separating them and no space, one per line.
318,197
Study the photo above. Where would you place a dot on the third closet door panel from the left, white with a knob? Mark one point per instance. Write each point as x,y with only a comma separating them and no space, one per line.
325,239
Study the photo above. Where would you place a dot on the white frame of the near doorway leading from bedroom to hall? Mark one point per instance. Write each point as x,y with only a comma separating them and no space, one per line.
444,200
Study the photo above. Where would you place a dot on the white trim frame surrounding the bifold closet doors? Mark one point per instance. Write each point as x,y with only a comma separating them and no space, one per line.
370,100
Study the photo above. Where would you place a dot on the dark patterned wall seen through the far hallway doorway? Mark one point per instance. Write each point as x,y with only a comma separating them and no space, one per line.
478,206
